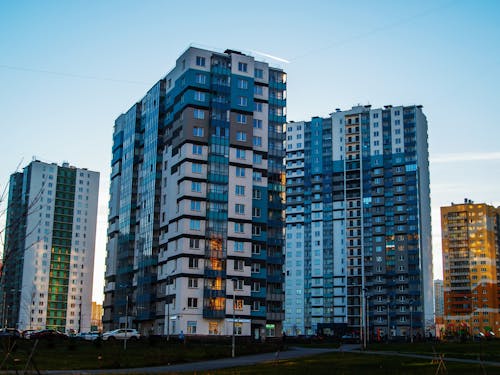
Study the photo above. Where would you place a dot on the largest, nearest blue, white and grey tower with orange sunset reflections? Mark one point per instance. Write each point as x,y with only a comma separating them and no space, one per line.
195,232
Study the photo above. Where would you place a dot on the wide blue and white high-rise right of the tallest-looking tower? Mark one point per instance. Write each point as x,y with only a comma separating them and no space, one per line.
358,230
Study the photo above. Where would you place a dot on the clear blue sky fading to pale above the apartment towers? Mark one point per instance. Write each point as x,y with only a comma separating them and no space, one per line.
69,68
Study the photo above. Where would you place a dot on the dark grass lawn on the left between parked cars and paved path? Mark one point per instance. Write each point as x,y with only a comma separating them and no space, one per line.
76,355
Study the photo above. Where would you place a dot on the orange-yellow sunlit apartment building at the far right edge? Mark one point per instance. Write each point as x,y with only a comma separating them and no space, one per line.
471,237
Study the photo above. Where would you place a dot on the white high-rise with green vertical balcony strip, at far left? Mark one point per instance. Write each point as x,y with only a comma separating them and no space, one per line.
49,248
